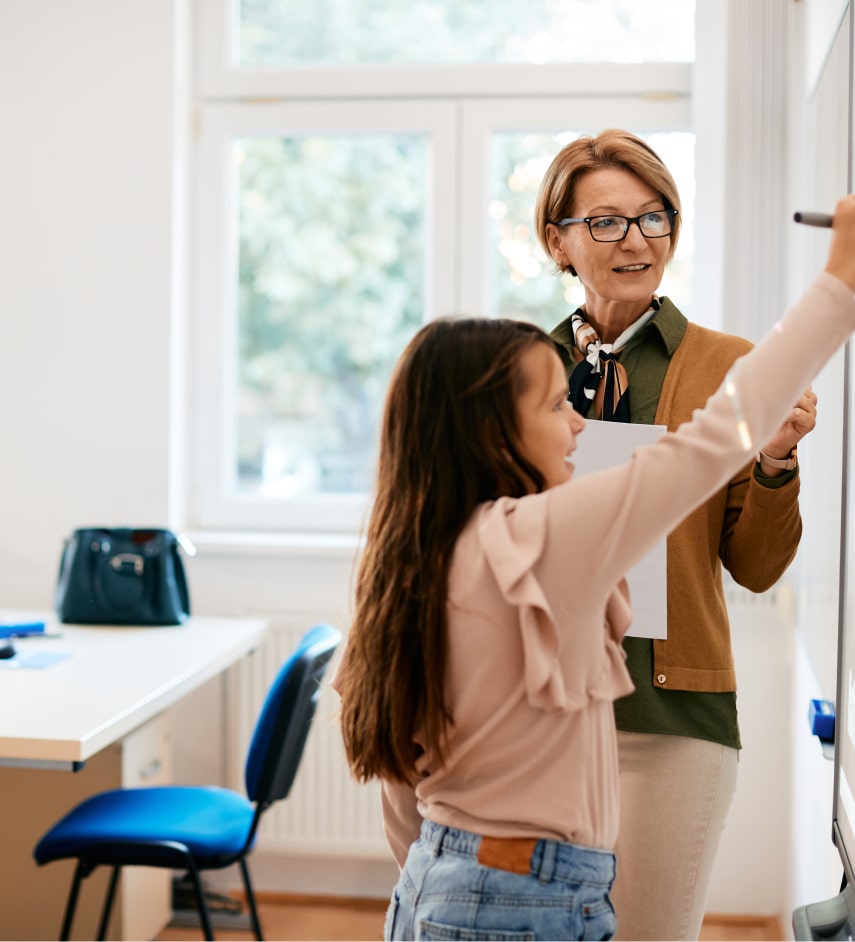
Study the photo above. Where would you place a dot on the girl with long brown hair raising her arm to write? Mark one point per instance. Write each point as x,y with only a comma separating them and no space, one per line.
484,656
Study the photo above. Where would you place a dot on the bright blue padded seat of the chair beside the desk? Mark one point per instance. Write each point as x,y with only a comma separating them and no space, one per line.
212,822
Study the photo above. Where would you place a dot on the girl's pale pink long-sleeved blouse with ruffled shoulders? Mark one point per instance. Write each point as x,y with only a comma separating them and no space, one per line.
537,607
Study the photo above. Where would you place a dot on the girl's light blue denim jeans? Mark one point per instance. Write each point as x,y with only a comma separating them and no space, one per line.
445,893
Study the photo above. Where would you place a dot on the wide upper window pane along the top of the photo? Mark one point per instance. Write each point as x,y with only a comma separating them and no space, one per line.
359,32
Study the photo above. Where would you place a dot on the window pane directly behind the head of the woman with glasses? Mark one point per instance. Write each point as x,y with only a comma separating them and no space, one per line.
522,274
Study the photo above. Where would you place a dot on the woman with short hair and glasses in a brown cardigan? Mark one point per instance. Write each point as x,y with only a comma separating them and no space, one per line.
608,212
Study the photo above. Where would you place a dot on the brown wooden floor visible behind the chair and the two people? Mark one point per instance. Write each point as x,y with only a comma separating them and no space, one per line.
316,919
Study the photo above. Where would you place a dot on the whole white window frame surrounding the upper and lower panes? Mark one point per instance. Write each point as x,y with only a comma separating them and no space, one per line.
458,108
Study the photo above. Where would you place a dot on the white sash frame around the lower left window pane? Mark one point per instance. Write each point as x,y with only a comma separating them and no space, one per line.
216,504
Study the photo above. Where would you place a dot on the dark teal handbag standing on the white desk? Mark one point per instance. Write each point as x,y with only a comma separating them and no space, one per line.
123,576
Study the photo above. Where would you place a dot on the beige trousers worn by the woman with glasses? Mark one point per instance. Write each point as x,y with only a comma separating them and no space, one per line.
675,793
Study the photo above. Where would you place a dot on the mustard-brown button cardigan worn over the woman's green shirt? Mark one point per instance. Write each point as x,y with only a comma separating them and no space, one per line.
753,530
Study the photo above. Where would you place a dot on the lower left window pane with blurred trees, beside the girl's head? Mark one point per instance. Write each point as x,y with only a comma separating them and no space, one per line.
331,281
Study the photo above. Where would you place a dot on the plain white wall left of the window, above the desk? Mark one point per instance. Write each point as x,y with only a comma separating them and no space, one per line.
86,278
